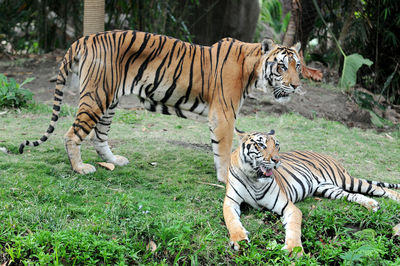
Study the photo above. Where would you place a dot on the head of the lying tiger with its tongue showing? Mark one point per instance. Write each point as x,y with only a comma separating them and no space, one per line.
258,153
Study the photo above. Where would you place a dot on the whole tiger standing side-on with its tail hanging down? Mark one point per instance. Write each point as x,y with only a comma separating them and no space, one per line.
169,76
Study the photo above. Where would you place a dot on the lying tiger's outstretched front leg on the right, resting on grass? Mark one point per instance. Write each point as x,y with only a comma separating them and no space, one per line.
292,217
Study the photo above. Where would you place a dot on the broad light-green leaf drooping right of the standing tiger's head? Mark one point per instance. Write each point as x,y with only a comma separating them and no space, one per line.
350,67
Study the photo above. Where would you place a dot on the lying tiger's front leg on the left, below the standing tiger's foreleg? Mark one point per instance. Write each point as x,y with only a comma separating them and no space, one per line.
232,220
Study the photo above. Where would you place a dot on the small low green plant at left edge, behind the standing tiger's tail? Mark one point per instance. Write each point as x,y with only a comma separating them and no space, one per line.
12,94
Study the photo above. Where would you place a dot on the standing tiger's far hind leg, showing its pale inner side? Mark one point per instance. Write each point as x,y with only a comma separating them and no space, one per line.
99,138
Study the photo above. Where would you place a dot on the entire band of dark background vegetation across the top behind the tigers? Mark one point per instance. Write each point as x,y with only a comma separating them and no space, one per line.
368,27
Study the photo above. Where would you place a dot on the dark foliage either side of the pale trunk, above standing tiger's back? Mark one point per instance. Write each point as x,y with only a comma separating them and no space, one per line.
35,26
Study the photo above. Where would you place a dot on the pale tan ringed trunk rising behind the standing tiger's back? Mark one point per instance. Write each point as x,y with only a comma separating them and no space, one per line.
93,16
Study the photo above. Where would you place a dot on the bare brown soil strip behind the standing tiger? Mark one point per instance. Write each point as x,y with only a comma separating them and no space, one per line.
318,101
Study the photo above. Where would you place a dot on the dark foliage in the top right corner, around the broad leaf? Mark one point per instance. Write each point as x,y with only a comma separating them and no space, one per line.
371,32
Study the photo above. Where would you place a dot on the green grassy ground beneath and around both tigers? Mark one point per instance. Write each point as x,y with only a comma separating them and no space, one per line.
156,210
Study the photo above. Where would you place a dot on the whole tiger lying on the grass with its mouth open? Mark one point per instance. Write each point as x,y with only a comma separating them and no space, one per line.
264,178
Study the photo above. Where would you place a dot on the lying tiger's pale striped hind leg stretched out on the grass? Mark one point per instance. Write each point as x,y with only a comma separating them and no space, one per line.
334,192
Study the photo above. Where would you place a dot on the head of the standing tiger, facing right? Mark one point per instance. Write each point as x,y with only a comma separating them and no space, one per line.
280,70
